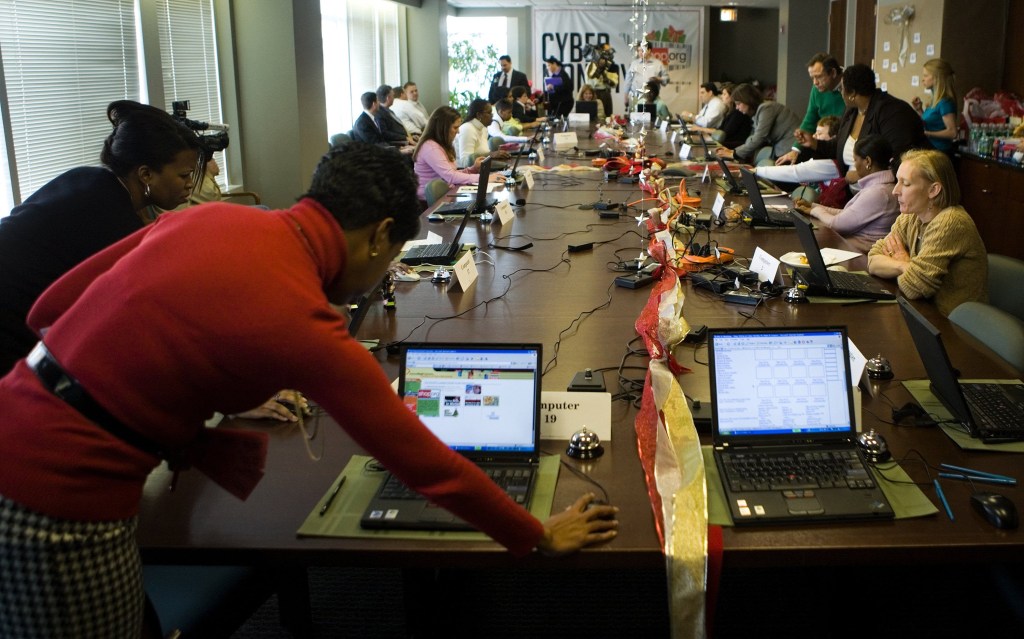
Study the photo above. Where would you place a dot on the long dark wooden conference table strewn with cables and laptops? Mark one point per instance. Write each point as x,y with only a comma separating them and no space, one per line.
568,303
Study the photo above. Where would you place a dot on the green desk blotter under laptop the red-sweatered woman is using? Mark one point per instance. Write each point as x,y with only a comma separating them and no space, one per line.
343,519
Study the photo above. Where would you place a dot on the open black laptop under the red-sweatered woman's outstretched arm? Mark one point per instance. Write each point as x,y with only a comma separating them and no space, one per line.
484,402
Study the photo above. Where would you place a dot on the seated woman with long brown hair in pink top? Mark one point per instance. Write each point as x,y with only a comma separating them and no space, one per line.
435,154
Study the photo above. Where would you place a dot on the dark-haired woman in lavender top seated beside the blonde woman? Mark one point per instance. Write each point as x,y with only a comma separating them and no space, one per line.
869,216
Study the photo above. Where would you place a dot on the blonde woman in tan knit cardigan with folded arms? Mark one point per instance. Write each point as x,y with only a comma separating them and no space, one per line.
933,250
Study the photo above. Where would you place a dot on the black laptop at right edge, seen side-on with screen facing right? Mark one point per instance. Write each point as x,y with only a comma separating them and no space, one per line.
992,413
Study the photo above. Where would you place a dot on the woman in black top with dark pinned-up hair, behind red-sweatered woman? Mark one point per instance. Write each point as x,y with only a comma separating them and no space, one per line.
149,160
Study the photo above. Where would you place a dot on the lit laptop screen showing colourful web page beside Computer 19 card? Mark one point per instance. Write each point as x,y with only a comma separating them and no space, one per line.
477,399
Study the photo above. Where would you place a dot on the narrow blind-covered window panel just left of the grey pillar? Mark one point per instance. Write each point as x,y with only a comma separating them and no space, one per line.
189,57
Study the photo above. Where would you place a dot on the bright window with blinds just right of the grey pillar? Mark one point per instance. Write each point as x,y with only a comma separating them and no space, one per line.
361,53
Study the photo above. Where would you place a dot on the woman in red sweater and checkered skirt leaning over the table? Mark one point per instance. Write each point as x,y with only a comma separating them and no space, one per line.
206,330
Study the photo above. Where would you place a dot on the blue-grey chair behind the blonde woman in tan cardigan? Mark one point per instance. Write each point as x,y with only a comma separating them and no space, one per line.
1000,324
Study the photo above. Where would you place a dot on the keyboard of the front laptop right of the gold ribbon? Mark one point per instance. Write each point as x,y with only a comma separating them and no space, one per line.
795,472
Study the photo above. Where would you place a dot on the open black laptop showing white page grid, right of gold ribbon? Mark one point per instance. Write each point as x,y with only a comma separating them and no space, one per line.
784,428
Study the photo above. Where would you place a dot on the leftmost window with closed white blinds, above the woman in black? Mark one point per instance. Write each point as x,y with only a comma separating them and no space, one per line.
63,64
